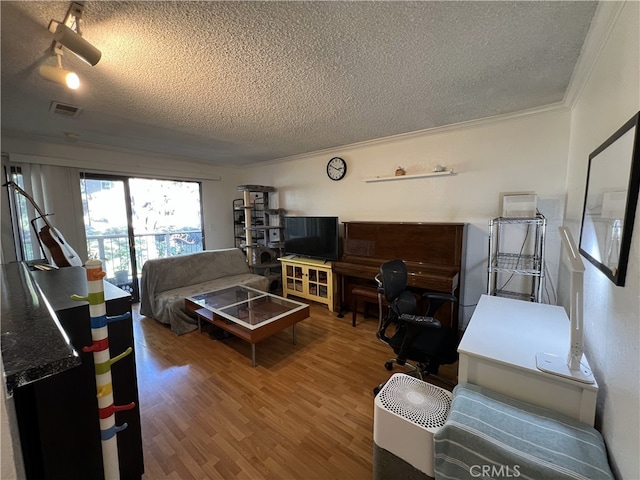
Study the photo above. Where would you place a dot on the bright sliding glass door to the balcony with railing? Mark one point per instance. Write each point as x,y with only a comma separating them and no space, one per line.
131,220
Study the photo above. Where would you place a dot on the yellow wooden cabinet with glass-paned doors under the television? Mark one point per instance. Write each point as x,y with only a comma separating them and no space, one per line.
308,278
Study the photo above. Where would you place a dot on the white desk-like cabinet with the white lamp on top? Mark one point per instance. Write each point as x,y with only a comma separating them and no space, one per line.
498,351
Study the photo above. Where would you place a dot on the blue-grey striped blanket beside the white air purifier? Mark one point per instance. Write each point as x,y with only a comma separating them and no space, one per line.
488,435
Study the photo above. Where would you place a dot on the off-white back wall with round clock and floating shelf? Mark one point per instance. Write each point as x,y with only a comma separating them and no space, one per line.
527,153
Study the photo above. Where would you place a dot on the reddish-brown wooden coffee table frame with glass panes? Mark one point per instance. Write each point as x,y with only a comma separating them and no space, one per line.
255,335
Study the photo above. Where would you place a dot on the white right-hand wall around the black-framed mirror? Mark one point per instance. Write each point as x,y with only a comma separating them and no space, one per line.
610,97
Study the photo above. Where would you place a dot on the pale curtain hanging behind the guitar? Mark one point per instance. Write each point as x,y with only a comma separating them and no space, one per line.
56,190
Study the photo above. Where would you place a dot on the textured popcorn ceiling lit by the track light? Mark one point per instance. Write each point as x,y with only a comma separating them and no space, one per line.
243,82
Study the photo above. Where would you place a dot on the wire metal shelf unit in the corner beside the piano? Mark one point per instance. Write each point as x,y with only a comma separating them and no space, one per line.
516,257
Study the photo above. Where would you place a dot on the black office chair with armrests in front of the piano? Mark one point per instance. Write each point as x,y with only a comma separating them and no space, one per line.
417,338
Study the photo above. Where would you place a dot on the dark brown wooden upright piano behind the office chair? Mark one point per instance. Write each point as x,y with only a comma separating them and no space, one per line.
432,252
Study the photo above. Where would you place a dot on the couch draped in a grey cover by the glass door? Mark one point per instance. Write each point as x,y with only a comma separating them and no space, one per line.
166,282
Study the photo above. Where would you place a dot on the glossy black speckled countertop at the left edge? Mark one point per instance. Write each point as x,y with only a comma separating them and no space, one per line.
34,344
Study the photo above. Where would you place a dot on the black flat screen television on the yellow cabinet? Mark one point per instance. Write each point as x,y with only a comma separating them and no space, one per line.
315,237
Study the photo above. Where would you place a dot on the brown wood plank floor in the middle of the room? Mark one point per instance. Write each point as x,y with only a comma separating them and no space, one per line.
305,411
